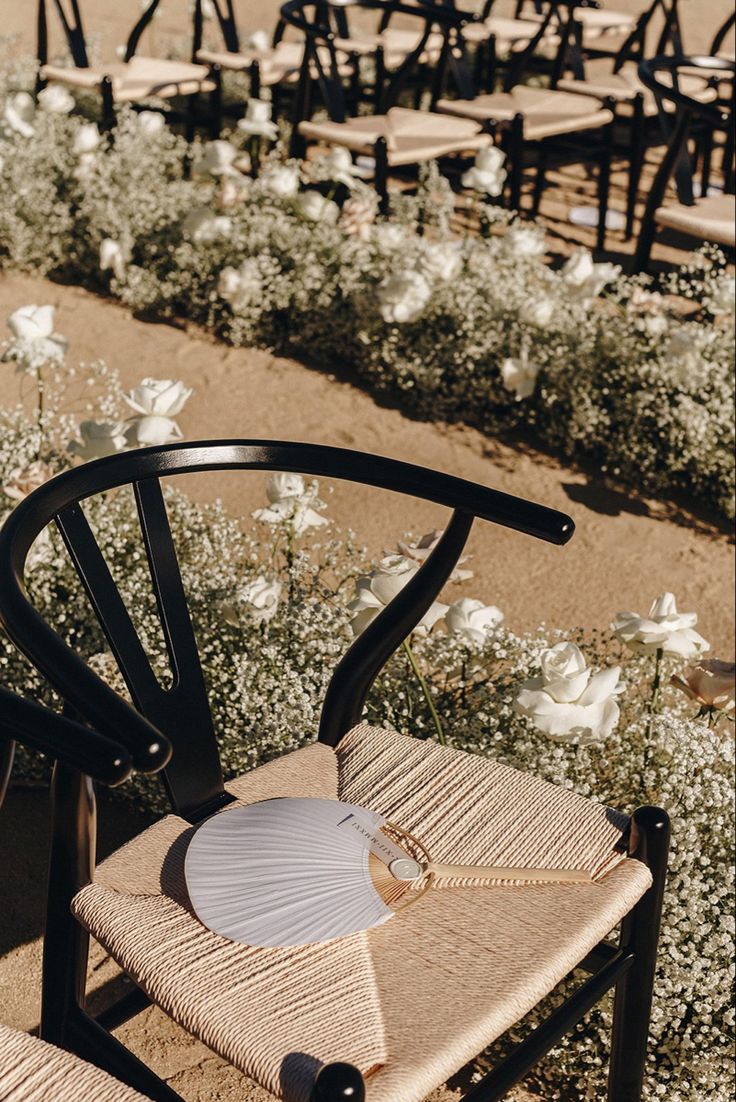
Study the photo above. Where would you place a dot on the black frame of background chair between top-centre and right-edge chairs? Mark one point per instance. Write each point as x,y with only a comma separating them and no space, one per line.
511,133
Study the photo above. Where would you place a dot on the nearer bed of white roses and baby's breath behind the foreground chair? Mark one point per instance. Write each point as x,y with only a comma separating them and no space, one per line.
274,610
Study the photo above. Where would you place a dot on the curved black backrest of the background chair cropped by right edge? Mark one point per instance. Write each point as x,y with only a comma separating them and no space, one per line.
677,163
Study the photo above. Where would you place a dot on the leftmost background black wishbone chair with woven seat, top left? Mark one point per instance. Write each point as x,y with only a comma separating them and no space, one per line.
134,81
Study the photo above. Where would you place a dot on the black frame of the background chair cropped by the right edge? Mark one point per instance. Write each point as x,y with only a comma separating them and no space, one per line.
677,163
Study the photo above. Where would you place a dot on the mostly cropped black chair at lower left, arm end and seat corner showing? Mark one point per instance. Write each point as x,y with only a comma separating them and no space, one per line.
45,1073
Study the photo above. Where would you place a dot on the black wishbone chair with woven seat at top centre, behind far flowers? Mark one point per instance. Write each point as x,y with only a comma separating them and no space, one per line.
396,137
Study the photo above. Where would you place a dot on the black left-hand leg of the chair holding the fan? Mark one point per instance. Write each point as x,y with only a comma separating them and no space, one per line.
72,863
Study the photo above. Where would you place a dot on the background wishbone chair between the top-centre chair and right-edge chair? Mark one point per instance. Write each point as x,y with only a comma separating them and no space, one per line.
546,123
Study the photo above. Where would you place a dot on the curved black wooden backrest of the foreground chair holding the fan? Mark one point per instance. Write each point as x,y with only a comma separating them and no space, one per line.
193,776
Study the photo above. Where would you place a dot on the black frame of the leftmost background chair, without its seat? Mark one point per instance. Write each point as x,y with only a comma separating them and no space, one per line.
73,28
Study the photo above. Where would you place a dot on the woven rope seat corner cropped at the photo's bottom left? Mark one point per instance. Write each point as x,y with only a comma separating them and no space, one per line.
34,1072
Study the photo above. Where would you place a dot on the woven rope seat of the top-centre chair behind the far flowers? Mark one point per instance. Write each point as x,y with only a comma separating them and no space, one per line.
410,136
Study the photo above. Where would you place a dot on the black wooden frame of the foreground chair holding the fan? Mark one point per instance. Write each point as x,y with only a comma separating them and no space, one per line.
144,737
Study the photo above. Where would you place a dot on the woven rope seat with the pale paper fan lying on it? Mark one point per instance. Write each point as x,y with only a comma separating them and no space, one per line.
464,963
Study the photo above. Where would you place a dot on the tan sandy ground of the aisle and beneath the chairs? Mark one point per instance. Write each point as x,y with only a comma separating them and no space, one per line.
626,549
